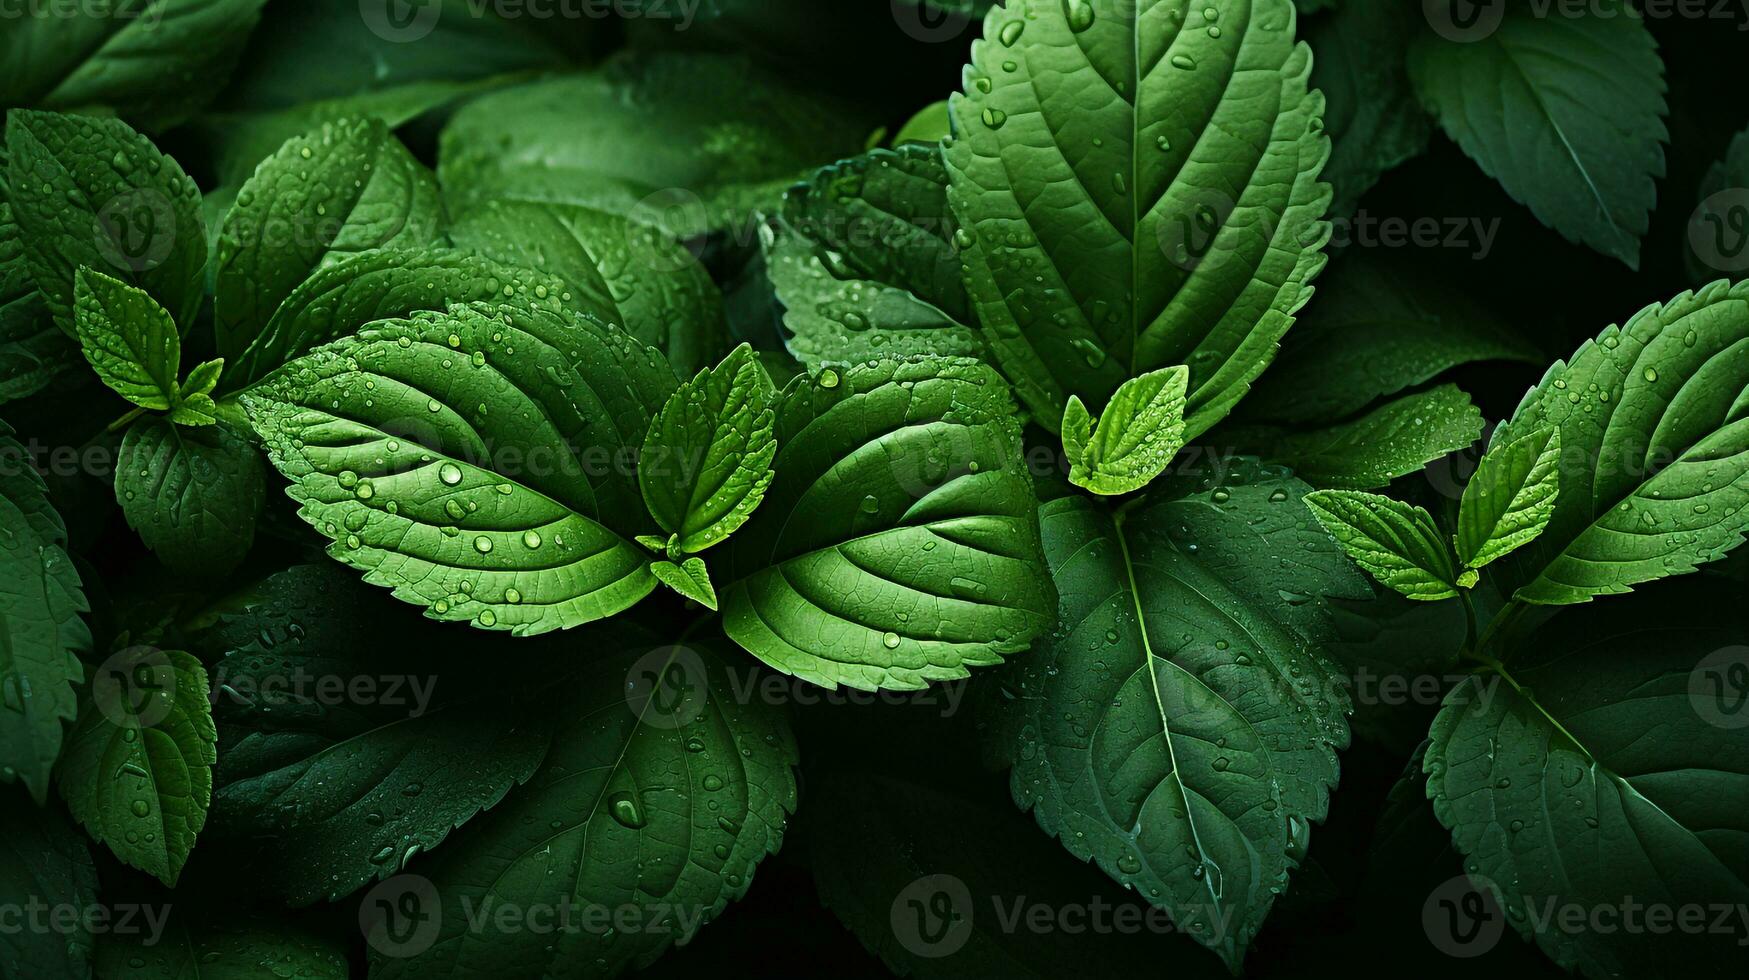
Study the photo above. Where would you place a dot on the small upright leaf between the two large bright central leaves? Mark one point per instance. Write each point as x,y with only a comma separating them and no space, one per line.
707,459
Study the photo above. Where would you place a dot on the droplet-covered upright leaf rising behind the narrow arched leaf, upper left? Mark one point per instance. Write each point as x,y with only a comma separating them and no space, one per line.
326,195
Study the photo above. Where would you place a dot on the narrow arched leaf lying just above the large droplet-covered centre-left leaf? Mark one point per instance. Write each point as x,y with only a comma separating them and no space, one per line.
386,284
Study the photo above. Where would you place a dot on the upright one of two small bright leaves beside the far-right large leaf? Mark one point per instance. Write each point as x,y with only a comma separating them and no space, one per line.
1512,498
